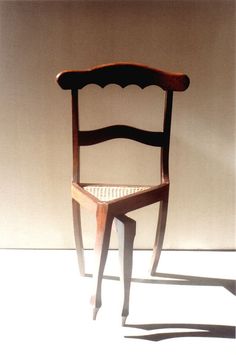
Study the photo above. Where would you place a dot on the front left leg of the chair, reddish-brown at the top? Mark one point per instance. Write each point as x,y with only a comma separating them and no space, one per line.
104,223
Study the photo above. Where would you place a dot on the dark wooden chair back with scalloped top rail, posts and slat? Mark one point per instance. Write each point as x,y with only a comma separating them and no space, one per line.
123,74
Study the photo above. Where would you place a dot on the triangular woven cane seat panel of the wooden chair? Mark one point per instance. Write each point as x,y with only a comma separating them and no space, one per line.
108,193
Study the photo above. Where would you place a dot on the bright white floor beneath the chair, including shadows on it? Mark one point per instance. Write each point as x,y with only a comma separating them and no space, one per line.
44,305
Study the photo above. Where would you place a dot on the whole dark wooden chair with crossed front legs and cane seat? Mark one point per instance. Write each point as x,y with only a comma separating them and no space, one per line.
109,201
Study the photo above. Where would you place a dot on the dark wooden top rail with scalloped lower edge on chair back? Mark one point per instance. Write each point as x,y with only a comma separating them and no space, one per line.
123,74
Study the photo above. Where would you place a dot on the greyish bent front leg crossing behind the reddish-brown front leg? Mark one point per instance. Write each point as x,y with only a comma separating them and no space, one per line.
126,229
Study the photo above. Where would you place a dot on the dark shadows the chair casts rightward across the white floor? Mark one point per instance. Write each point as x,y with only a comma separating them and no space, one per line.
183,330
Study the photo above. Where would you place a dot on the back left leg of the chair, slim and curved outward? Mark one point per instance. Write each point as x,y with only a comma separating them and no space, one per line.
78,236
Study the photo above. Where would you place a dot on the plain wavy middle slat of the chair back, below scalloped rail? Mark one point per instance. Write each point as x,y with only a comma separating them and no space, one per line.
155,139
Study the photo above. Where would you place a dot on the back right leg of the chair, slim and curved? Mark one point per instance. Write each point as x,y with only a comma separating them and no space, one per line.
161,226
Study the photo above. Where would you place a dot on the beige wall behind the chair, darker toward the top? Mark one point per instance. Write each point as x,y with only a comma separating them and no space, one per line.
39,39
